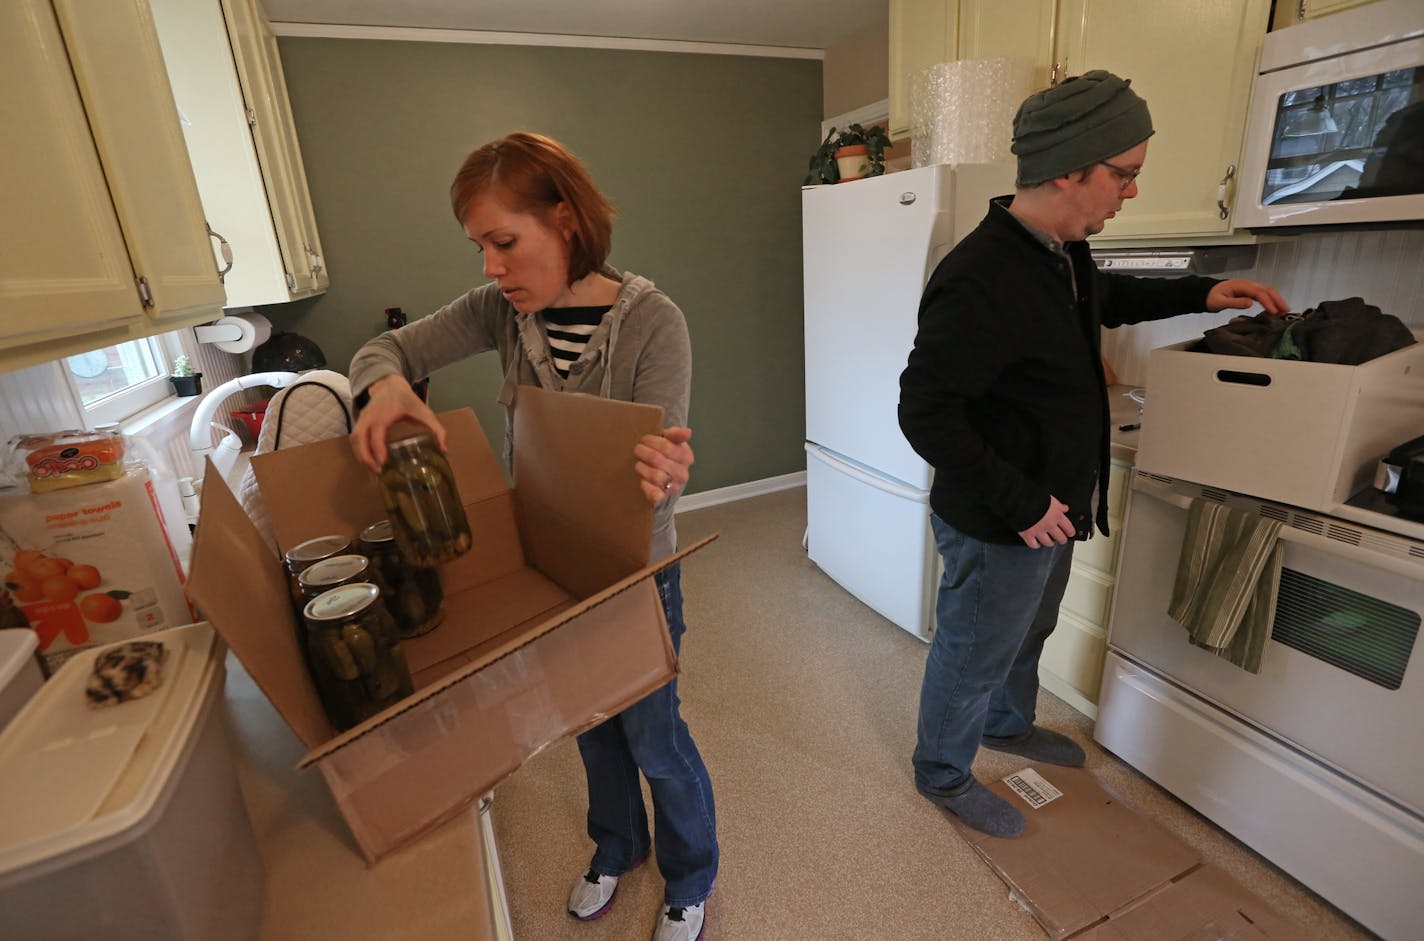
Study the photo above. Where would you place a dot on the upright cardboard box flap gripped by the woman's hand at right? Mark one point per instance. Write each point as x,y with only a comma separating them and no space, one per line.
583,516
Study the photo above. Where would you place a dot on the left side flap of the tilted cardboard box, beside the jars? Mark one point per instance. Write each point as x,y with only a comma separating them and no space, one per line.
241,589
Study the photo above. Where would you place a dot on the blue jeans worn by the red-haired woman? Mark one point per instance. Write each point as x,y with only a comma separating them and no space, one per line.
653,738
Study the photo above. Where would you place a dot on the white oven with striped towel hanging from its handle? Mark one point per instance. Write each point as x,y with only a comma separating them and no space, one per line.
1318,762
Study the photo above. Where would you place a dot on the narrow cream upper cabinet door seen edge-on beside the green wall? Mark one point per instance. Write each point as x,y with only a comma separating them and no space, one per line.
248,33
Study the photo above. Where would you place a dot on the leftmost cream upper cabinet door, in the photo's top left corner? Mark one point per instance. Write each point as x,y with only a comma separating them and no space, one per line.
63,264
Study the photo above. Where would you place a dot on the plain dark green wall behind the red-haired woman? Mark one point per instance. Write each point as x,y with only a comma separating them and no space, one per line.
703,156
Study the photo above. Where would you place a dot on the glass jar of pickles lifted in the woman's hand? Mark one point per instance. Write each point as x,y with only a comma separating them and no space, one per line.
426,515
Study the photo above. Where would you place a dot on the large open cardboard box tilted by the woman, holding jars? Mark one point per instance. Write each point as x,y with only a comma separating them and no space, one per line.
553,621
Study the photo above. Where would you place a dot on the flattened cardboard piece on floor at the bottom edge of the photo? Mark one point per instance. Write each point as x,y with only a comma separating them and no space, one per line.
1203,906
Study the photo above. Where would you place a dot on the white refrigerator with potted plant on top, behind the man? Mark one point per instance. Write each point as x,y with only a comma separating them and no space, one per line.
869,247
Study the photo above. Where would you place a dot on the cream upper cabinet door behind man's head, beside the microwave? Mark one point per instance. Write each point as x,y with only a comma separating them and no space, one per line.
1194,63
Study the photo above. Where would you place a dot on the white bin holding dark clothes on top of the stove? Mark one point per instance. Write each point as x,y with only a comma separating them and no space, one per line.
1307,435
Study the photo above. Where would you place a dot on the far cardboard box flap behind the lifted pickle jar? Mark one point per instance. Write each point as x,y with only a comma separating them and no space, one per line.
291,478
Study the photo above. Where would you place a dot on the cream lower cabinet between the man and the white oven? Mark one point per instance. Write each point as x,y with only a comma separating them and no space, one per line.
1072,664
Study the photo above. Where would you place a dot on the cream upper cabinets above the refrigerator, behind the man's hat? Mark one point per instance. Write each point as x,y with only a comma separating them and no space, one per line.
1194,62
